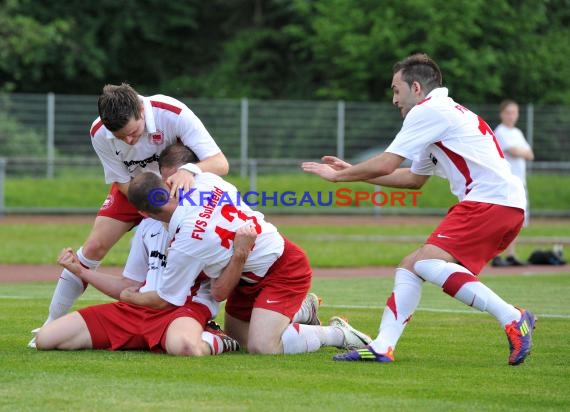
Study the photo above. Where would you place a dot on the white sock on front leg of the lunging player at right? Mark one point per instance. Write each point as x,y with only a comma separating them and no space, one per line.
398,311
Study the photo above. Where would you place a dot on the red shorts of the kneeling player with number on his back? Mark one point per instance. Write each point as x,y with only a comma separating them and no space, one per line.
281,290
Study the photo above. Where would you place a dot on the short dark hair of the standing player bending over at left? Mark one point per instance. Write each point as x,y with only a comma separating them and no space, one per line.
117,105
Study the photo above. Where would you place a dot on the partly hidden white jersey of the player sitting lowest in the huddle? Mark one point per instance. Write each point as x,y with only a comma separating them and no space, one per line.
147,261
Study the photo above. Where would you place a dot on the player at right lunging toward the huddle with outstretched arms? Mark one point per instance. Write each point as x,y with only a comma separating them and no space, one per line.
443,138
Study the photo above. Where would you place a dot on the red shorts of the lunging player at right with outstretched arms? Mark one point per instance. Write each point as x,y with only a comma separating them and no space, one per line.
475,232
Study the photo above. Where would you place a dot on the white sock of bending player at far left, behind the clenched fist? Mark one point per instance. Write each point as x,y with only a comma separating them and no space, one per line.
69,287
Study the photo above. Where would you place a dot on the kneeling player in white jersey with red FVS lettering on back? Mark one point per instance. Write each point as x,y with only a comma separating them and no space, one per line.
263,298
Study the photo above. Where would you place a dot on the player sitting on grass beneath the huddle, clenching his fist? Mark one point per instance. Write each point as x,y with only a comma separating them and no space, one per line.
182,331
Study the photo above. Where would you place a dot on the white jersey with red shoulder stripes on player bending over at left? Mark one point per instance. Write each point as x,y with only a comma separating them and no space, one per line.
167,120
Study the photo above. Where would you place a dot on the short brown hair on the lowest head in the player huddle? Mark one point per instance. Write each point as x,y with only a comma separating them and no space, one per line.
143,193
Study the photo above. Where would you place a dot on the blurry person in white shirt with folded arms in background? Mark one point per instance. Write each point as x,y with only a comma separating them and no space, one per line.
517,152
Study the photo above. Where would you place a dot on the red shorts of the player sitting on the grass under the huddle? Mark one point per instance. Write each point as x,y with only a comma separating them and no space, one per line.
123,326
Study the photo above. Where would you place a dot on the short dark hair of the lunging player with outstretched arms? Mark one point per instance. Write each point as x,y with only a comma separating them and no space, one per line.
419,67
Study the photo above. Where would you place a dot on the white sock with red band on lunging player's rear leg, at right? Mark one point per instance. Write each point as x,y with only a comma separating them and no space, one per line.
460,283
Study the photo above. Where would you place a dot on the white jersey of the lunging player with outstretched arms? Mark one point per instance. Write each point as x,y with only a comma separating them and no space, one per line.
444,138
